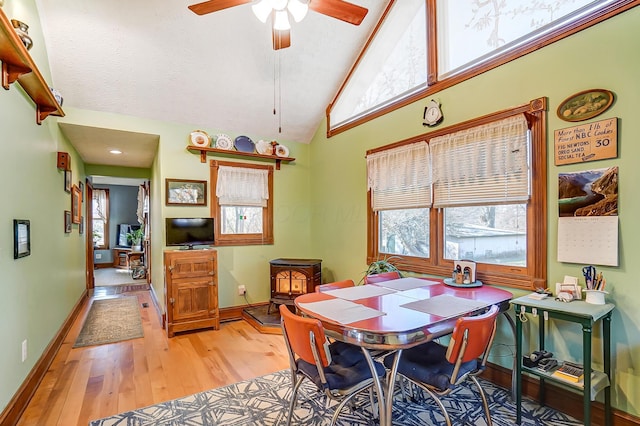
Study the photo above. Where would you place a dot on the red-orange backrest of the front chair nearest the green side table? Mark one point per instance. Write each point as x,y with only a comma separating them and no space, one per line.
472,337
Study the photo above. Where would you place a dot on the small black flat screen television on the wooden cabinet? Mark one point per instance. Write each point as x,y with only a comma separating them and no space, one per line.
189,232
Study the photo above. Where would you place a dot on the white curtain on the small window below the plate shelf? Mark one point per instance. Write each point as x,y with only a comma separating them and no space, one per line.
239,186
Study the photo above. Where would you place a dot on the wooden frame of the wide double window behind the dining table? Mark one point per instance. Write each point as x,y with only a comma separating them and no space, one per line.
529,277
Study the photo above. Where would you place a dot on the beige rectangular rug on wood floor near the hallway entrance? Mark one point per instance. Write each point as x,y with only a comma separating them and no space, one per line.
111,320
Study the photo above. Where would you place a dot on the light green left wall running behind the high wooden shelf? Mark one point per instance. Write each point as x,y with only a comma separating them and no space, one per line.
38,291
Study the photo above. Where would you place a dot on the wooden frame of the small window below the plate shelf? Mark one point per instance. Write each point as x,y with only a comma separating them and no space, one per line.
266,237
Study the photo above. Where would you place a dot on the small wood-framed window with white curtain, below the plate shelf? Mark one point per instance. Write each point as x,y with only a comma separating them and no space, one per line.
243,203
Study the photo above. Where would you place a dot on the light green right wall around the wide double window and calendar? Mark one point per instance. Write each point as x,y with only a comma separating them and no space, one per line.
602,57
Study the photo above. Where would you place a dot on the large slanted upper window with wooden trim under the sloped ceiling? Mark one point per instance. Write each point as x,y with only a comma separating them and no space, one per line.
424,46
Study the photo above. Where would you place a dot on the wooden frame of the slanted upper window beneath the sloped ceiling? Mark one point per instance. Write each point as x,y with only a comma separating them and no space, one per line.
435,85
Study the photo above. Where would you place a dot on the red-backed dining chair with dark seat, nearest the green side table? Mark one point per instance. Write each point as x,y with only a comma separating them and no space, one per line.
438,369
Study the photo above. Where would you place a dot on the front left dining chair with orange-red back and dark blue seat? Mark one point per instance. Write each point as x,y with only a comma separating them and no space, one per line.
339,369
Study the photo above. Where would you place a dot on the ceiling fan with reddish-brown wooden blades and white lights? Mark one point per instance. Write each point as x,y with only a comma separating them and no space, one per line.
280,10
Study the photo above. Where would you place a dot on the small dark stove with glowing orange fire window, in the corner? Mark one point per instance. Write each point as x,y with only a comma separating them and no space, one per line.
292,277
